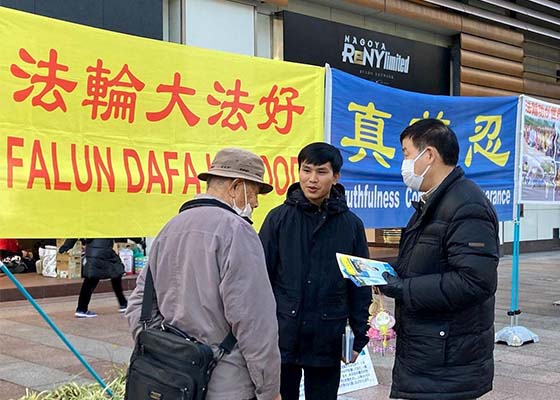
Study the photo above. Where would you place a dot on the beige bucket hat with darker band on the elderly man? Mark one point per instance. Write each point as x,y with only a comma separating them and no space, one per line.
238,163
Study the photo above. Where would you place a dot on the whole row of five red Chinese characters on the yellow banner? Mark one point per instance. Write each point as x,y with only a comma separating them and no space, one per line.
117,97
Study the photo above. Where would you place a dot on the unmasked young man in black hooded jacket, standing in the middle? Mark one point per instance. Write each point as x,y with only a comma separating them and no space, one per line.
314,302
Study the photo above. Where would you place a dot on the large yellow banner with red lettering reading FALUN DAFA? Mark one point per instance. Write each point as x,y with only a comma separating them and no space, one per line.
103,134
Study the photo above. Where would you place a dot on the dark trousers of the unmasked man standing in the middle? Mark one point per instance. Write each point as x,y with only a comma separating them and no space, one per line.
321,383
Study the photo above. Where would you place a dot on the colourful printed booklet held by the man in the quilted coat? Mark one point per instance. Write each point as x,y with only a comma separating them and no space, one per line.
363,271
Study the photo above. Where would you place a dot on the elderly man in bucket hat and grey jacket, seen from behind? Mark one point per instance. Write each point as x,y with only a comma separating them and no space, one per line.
210,279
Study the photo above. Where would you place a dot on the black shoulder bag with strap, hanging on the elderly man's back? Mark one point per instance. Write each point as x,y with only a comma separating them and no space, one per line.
167,363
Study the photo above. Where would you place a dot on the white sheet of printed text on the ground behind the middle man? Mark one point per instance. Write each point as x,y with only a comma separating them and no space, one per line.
357,376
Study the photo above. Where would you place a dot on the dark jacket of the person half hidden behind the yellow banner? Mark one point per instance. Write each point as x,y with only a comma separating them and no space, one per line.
101,261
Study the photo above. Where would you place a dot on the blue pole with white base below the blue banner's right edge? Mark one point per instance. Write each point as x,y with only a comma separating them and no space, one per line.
514,334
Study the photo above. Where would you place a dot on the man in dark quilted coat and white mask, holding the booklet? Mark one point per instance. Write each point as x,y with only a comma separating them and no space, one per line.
447,275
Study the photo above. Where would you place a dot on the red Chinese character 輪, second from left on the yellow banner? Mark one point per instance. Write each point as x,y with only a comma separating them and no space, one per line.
120,103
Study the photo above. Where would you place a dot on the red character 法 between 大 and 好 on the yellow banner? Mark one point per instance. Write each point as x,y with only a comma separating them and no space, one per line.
236,107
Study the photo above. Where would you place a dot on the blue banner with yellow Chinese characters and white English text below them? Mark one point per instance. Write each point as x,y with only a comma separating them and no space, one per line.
365,121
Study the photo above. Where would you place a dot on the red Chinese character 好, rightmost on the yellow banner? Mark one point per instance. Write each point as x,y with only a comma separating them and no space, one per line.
274,107
